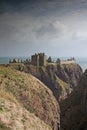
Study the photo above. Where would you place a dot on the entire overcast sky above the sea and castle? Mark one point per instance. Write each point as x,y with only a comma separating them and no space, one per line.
56,27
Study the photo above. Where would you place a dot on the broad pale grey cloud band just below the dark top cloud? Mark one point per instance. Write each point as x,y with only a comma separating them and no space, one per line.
25,28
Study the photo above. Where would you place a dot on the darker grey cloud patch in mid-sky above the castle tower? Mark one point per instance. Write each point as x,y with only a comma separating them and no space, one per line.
50,30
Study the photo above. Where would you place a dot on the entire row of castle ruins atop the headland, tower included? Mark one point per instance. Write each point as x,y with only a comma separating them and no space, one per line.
40,60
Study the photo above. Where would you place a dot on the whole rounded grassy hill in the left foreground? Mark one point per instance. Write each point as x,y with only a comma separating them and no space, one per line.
26,103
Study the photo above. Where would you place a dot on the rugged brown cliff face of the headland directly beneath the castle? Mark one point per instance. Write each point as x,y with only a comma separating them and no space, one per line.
61,79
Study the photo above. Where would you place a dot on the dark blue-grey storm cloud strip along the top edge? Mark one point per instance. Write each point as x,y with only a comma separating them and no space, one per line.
41,7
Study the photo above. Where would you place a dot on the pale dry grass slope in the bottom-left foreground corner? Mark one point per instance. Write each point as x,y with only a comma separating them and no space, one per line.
14,116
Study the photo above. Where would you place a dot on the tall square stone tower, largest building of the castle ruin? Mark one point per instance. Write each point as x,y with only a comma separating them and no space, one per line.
38,59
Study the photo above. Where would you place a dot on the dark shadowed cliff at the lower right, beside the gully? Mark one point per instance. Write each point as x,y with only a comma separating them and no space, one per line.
74,108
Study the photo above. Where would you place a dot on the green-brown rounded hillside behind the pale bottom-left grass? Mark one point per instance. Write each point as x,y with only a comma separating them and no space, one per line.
30,93
